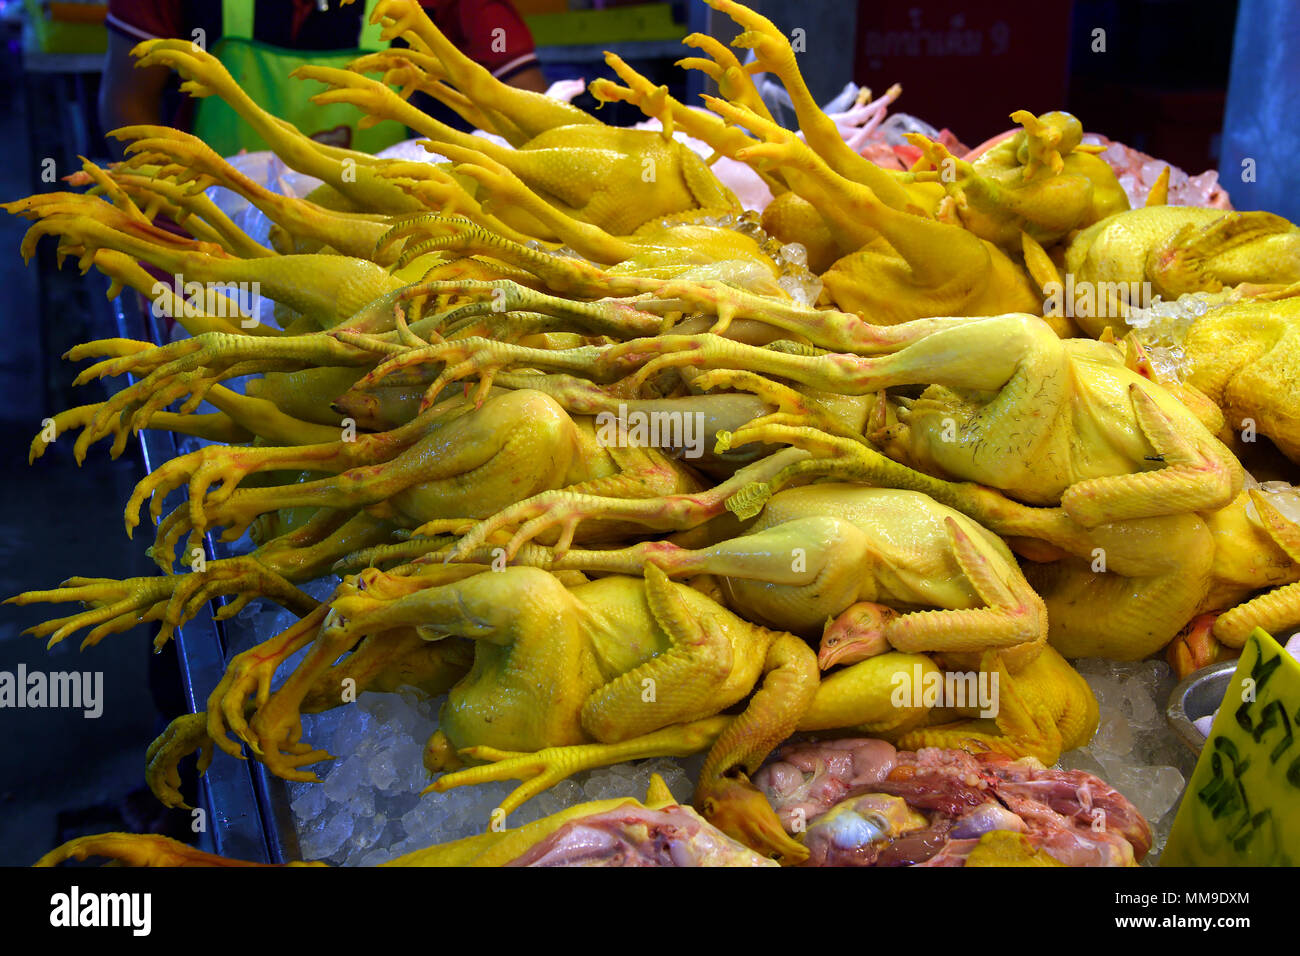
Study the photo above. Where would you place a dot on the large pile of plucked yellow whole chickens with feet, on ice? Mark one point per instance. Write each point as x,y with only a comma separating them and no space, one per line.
627,470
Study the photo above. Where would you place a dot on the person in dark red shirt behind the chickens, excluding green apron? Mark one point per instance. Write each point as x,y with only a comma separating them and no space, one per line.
489,32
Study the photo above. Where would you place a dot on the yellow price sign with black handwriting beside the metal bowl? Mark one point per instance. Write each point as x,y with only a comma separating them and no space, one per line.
1242,807
